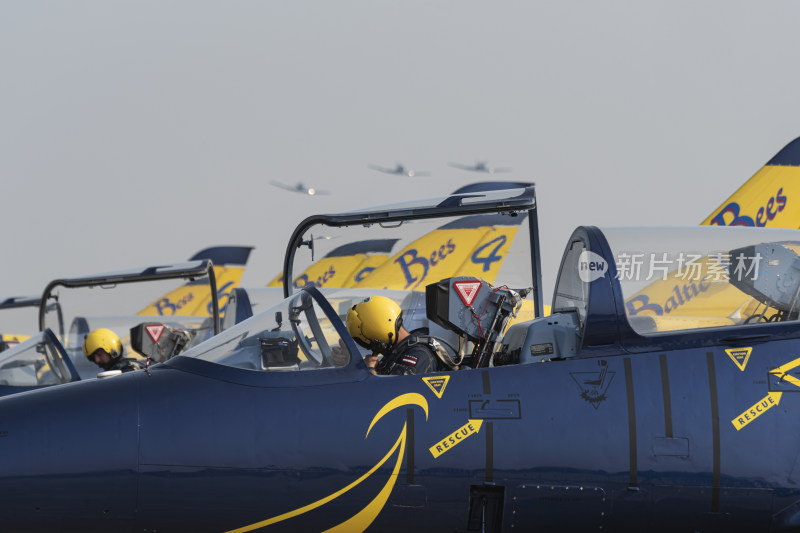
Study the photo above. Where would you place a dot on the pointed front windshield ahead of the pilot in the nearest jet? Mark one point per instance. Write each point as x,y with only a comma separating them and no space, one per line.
294,335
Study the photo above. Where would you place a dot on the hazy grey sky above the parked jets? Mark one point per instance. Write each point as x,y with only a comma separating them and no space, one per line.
140,132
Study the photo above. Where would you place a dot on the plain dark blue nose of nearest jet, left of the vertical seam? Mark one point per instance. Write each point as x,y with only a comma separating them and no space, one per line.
69,452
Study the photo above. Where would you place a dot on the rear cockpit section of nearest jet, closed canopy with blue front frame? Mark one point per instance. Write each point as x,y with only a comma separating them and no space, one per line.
641,288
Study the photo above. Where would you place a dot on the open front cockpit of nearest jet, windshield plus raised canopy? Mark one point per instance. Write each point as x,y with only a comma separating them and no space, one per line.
396,251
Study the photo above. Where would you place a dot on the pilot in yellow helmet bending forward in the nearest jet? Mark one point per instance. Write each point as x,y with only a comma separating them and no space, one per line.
376,324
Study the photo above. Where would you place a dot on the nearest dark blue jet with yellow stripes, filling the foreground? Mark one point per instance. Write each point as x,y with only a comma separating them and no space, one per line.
586,419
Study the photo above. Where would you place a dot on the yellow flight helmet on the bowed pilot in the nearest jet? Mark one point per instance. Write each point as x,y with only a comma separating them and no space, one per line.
374,322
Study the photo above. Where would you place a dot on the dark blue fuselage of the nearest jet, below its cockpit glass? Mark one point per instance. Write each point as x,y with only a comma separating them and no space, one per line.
643,440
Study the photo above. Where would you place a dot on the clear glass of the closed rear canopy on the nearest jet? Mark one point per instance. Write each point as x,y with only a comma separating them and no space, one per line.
688,278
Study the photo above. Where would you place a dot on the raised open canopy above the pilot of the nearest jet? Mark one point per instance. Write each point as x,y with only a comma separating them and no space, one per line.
484,233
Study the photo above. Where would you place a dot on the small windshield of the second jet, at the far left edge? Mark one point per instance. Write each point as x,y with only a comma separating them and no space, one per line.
36,362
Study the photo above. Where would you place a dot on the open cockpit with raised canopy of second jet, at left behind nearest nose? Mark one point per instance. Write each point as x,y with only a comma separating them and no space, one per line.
70,306
